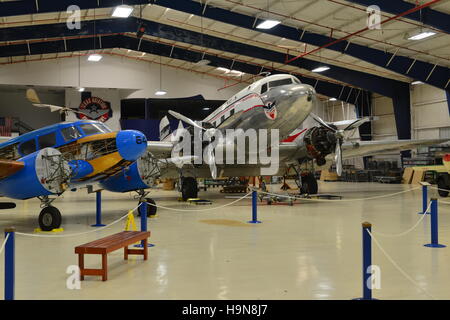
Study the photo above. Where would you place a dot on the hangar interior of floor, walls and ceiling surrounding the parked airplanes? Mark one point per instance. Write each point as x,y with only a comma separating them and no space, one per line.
192,56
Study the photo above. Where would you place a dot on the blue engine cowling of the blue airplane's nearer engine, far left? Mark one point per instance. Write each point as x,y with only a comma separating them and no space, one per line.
45,172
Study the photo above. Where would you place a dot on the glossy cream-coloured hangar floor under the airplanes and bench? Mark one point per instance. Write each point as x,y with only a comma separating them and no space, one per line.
308,251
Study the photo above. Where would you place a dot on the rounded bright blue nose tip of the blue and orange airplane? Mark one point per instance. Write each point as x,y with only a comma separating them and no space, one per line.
131,144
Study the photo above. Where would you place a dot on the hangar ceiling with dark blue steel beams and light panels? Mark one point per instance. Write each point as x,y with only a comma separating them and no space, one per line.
373,60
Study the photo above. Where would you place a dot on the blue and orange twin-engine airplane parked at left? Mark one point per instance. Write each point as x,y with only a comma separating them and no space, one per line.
50,160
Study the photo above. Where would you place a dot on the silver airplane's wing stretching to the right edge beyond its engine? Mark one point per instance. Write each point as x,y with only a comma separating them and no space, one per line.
369,148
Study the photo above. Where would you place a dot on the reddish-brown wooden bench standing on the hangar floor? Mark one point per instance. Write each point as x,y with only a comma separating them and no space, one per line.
109,244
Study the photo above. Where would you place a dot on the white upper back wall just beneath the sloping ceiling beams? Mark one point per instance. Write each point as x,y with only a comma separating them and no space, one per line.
115,72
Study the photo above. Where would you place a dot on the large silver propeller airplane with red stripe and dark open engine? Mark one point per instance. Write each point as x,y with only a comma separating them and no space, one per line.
275,102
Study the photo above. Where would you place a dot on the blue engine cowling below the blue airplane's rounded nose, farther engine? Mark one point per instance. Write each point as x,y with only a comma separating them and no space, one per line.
140,175
